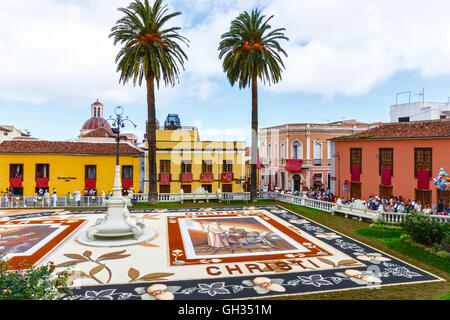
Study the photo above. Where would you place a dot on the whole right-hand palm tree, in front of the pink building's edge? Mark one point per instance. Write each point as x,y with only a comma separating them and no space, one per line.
251,51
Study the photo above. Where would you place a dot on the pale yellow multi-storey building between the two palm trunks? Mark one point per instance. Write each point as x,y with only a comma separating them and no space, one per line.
186,163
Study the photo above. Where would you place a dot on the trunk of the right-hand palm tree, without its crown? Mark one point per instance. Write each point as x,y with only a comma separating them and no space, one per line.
254,149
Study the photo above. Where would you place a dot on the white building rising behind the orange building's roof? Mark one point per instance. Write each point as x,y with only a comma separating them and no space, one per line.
419,111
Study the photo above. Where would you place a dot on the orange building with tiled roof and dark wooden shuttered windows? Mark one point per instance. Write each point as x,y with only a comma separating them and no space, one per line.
398,159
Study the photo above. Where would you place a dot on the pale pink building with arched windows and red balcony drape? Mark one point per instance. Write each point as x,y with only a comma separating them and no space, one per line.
299,155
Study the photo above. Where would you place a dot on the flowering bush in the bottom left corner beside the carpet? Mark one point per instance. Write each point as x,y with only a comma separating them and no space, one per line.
32,283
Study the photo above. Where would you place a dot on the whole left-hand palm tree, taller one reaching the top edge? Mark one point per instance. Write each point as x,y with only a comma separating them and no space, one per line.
150,51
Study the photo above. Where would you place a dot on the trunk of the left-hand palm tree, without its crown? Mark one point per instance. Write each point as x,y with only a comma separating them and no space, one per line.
151,138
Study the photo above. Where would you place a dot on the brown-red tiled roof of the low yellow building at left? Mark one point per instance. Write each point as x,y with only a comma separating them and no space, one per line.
66,147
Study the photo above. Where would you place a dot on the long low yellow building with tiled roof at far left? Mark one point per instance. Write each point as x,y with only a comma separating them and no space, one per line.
28,165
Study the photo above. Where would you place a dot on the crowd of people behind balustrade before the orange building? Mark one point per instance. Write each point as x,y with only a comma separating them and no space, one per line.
394,204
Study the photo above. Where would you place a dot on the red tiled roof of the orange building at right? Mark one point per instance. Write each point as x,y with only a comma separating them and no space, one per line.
404,130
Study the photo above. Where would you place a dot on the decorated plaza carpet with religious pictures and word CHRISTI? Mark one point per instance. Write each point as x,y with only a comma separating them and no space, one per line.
202,254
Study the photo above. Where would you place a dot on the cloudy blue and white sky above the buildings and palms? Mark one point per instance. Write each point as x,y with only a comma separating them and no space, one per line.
347,59
